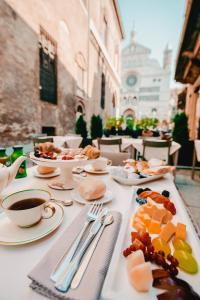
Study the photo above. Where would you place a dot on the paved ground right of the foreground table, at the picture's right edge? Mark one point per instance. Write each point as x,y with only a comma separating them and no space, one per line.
190,191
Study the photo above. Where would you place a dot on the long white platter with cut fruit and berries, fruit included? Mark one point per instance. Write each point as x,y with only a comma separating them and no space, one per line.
158,254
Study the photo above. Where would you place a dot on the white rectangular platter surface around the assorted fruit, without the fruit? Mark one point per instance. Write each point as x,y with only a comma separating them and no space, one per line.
116,284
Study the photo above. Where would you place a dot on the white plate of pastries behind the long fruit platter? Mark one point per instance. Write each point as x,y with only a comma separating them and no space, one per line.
139,172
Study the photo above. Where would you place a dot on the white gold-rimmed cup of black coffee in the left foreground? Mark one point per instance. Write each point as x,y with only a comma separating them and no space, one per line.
20,209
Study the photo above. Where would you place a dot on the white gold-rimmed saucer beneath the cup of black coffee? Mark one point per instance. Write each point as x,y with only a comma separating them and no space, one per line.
10,234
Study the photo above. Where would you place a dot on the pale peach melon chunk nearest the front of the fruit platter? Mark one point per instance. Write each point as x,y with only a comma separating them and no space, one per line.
141,277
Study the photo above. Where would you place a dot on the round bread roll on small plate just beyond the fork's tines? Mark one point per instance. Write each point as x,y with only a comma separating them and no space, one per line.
92,189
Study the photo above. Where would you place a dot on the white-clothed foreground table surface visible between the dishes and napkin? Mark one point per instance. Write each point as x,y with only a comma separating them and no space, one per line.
17,261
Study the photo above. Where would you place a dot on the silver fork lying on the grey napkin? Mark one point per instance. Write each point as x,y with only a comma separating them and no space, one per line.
91,215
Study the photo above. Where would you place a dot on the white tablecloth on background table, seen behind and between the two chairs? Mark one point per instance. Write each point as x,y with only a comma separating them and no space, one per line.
137,145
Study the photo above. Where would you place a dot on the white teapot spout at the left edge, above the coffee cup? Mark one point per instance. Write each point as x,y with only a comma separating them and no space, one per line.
7,174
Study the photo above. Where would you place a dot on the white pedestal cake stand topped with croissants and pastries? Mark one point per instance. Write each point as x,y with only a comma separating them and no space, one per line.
48,156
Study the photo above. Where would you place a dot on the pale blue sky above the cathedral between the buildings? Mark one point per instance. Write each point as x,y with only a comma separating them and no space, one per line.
156,22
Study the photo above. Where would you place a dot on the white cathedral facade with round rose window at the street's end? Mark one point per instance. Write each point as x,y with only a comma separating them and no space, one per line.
145,84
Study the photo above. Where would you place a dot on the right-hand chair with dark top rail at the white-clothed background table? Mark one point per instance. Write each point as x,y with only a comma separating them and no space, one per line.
152,145
